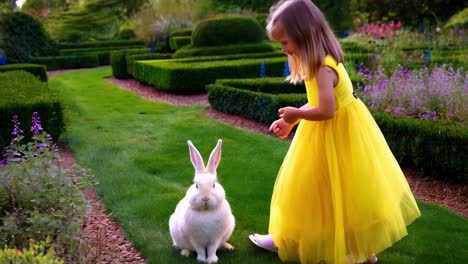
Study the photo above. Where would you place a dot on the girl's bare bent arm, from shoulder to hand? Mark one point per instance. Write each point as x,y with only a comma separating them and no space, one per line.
326,80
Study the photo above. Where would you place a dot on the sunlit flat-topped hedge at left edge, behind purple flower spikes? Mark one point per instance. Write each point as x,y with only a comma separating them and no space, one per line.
22,94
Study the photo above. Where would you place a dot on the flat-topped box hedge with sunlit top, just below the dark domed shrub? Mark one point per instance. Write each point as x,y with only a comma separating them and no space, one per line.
191,77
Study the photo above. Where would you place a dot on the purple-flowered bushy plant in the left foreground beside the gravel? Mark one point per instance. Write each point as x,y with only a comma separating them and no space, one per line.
41,198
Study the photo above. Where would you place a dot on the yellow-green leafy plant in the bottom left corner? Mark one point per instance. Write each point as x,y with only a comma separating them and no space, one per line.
35,253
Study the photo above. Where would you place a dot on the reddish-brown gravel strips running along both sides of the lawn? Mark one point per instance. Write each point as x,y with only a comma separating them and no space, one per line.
108,239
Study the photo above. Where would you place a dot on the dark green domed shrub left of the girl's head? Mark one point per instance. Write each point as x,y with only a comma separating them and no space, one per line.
227,31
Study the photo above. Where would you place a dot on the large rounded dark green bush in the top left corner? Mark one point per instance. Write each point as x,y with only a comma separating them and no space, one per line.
24,37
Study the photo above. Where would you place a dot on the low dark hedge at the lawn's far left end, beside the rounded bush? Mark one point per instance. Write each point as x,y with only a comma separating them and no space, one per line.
68,62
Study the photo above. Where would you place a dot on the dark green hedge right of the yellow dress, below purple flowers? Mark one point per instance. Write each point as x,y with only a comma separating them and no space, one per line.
437,149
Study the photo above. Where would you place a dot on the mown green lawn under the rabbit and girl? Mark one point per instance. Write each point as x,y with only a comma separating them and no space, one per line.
138,152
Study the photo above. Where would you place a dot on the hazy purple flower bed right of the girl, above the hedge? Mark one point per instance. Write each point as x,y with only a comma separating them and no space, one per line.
440,94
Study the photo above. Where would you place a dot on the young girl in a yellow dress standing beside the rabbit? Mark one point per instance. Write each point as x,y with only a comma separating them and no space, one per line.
340,195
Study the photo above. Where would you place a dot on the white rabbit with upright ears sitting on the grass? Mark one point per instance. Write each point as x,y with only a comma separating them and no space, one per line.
202,220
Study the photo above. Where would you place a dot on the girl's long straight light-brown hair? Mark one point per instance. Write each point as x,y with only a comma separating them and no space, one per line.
307,27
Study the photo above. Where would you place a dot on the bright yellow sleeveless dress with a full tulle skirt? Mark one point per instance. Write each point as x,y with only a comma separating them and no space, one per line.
340,194
